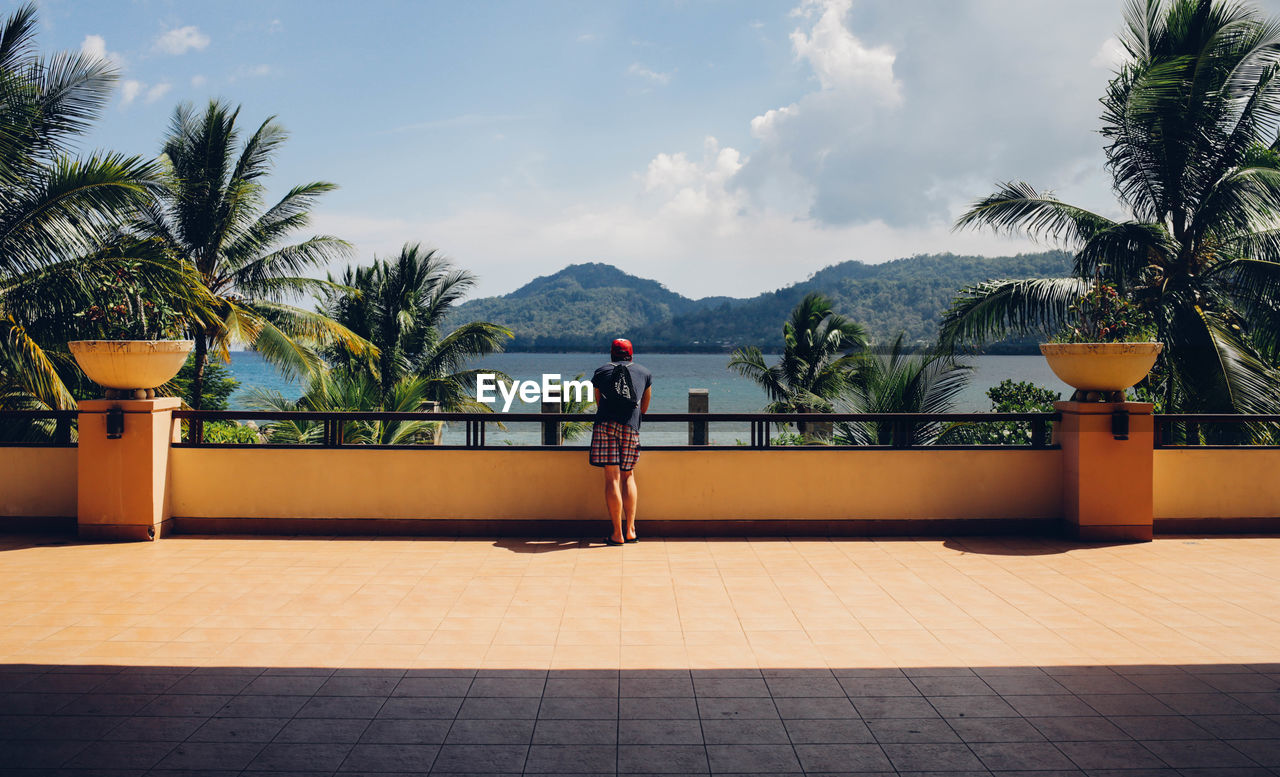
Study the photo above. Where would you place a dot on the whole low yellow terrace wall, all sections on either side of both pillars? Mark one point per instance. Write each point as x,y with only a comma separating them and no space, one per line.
684,491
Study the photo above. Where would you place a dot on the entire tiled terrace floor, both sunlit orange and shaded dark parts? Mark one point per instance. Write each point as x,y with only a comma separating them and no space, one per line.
369,657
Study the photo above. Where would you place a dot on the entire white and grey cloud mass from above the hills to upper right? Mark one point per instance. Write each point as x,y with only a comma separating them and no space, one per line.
912,117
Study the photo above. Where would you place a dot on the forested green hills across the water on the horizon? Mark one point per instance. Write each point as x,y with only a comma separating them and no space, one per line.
583,305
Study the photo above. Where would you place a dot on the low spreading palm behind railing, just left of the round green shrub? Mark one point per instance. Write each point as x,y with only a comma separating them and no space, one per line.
900,382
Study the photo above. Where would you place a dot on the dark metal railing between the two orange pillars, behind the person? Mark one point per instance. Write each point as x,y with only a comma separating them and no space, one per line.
900,427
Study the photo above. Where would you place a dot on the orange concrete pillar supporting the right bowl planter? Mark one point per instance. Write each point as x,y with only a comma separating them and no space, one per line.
1108,455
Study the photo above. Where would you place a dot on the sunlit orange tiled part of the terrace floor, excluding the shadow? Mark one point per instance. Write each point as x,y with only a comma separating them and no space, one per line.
547,605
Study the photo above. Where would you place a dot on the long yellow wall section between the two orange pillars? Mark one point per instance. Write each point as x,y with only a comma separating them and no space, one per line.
560,485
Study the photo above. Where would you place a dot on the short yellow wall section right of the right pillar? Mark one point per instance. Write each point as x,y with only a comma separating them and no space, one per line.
1218,485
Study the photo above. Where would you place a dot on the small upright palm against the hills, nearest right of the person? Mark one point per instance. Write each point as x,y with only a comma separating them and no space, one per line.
820,358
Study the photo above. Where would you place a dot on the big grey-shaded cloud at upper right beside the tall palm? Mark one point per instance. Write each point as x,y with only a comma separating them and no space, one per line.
916,116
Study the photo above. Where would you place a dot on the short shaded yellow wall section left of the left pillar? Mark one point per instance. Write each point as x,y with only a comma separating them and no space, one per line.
38,482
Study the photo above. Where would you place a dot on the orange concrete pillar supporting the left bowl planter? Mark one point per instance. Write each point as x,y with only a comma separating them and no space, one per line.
124,483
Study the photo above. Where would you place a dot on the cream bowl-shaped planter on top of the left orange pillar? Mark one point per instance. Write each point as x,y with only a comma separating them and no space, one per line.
131,369
